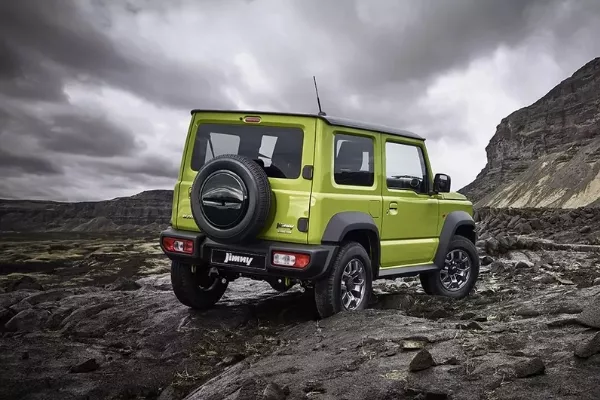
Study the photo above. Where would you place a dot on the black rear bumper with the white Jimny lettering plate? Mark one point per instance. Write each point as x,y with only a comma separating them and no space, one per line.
257,257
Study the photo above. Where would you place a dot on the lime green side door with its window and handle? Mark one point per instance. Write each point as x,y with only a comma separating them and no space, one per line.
410,213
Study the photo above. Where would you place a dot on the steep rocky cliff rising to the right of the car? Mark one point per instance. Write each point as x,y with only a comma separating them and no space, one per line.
547,154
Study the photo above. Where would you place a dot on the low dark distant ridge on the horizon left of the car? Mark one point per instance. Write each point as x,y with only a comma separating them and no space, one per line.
146,211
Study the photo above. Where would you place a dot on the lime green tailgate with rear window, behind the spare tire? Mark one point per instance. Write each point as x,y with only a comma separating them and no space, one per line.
283,144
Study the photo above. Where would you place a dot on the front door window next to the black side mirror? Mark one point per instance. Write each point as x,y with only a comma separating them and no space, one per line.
405,167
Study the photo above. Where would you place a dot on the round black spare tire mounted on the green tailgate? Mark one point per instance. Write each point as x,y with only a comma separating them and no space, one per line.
231,198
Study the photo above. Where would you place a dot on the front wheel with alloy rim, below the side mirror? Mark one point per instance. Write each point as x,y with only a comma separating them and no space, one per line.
459,274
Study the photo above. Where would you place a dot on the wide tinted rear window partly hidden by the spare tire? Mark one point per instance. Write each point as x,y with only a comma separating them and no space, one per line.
277,149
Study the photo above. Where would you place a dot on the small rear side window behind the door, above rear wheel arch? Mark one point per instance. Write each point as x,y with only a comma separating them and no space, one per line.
353,162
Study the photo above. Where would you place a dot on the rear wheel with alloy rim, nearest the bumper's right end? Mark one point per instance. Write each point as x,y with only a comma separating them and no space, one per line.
348,285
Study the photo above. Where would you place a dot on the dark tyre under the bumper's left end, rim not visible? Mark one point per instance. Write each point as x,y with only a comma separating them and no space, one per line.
196,286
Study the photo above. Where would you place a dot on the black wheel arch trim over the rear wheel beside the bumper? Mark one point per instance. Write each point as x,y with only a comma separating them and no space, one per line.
358,227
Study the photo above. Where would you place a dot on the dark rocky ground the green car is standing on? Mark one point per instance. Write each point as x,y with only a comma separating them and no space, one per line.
94,317
